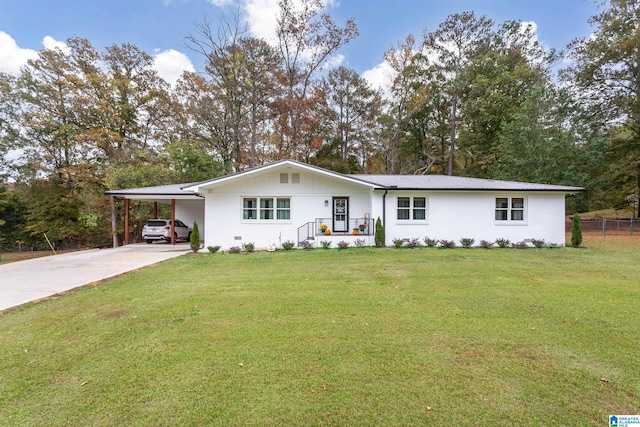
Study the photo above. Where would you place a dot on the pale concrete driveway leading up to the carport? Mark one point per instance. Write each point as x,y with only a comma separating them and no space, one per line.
33,279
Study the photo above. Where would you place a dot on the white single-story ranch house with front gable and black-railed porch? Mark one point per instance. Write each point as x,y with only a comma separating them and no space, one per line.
290,201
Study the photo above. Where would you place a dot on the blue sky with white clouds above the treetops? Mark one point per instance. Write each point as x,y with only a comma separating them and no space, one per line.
159,27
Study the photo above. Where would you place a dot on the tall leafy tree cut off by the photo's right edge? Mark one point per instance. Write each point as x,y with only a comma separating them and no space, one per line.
606,74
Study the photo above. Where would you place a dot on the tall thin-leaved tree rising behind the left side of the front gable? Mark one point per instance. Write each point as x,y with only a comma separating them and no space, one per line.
240,79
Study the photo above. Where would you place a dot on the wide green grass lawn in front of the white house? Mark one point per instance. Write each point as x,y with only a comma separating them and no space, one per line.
326,337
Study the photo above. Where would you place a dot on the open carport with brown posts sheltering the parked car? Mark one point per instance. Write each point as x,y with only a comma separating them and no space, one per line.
167,194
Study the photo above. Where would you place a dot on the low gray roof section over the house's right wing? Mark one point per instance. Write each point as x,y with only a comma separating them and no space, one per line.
444,182
